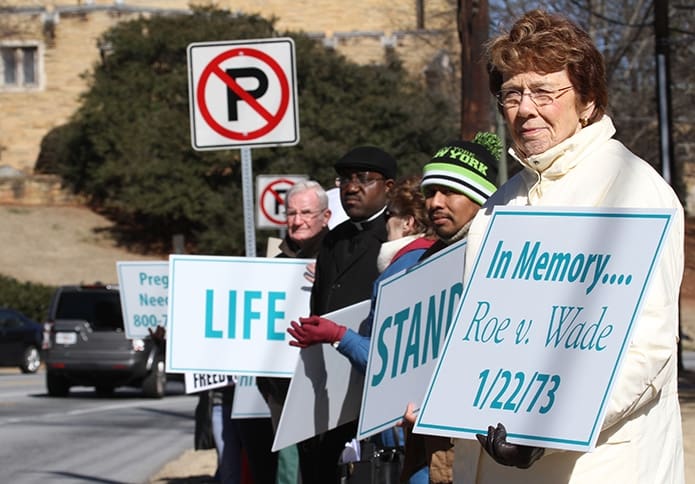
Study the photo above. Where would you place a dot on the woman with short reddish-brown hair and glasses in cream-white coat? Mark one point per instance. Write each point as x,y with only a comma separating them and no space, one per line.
549,80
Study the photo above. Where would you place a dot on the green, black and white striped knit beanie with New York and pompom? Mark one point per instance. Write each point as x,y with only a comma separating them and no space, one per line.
468,167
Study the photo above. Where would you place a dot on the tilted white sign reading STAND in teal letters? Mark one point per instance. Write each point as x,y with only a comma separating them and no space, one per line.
410,322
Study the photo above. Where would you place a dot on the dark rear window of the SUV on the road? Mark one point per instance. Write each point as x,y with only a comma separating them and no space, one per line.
102,309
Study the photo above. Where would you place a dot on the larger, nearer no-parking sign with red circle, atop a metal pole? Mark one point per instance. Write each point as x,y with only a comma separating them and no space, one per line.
243,93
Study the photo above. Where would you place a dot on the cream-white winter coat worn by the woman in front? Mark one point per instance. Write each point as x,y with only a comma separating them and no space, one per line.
641,437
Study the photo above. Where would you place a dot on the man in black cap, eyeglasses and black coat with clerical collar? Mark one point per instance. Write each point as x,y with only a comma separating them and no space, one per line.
345,270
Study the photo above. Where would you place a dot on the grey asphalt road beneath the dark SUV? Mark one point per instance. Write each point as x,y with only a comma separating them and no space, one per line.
123,439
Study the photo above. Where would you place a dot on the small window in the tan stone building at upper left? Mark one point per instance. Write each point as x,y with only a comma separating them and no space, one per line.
20,66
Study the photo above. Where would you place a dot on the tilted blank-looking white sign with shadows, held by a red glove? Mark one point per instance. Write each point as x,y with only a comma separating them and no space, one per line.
325,390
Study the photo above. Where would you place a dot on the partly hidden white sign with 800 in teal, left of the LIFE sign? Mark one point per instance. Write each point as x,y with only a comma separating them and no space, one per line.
144,290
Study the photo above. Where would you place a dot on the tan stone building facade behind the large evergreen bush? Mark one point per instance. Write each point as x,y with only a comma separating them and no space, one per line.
47,47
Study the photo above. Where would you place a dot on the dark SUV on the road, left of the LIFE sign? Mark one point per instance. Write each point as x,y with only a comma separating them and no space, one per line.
87,345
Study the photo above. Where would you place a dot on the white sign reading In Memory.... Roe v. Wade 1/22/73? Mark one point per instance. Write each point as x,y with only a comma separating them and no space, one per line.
544,323
